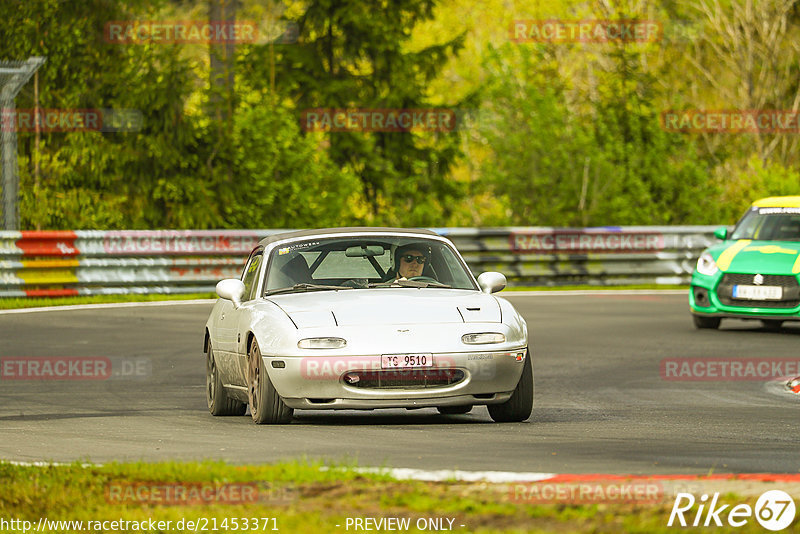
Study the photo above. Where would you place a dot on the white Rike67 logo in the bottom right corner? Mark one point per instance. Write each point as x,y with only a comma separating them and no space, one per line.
774,510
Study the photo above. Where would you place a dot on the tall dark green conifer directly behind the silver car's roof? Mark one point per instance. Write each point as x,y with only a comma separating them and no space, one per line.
351,55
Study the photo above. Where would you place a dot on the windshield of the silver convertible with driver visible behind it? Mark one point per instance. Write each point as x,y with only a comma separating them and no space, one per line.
366,262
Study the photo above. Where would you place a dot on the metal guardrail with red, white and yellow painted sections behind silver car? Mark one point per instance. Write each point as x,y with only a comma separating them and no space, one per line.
61,263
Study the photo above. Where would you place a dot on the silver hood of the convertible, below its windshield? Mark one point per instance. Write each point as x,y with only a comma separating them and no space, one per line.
382,306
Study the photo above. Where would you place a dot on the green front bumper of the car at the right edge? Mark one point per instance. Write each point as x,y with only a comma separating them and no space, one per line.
708,298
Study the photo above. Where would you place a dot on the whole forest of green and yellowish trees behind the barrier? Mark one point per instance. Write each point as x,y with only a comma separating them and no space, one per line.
549,133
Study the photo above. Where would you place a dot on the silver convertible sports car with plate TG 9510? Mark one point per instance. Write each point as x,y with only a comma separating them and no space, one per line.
364,318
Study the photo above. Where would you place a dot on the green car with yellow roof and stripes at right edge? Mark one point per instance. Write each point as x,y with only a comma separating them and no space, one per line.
753,273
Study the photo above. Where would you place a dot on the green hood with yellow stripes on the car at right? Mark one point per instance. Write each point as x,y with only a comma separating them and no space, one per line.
766,257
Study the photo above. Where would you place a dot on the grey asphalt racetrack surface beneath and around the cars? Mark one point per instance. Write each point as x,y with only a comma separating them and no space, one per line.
601,402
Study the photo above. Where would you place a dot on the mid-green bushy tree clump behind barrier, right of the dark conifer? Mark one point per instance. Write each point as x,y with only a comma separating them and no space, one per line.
603,160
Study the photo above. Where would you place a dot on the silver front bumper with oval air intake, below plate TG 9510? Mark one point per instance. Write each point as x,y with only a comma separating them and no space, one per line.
320,382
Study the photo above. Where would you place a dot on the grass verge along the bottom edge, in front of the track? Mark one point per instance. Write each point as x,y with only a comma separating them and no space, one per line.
302,497
